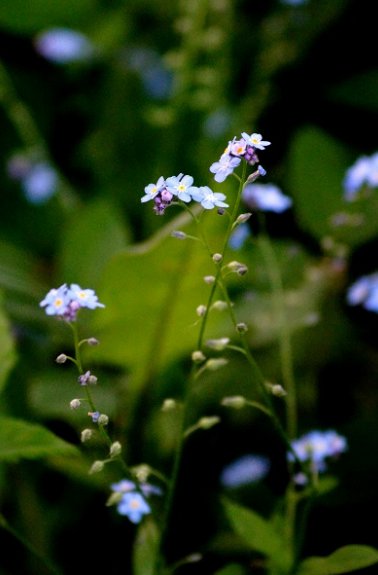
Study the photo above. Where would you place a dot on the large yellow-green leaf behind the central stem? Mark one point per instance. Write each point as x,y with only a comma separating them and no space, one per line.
151,292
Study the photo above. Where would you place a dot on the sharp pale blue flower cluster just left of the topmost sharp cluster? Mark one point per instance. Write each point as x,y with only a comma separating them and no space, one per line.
180,187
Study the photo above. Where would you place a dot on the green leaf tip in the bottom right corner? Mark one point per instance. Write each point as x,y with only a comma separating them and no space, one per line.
344,560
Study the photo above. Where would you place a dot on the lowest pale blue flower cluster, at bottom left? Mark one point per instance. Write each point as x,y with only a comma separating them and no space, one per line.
131,502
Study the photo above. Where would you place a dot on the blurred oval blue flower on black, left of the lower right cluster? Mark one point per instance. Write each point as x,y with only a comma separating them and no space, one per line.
245,470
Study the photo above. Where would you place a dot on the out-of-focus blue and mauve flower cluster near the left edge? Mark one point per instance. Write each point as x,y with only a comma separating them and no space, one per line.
39,180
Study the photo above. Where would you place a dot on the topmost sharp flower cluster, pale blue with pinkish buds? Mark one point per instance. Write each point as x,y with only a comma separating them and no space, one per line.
238,149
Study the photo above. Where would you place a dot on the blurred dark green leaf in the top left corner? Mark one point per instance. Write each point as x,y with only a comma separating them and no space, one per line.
31,16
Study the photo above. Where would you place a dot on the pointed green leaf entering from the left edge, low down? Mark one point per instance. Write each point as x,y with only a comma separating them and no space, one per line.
23,440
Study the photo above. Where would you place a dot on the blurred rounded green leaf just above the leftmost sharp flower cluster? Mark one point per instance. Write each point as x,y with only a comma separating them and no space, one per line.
92,236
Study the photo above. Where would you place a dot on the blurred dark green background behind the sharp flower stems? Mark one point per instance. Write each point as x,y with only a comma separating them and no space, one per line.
99,99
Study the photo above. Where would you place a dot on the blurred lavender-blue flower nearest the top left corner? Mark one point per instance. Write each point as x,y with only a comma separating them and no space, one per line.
63,46
